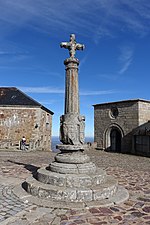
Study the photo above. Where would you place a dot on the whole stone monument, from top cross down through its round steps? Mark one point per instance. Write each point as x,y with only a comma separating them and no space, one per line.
72,180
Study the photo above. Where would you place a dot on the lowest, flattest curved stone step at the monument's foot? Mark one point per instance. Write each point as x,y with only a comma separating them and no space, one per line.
119,197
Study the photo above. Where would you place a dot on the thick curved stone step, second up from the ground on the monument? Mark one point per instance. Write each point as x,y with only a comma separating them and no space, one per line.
83,194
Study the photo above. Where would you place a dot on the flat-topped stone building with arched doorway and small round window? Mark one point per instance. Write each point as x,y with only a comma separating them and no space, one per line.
117,126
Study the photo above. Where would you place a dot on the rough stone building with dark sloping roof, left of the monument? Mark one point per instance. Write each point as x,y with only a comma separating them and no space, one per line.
21,116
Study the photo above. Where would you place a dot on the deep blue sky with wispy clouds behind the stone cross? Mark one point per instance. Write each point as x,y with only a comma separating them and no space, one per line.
115,64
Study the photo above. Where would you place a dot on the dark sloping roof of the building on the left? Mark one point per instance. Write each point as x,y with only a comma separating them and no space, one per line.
11,96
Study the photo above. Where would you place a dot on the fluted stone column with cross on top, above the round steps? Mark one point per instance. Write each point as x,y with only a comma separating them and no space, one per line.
72,123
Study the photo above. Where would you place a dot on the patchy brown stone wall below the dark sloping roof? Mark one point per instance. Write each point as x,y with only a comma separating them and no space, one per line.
32,122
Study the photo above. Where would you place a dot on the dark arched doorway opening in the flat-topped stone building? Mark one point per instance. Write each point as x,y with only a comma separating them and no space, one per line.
115,140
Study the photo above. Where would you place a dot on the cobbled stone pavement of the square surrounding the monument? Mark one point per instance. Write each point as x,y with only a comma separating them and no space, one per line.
131,171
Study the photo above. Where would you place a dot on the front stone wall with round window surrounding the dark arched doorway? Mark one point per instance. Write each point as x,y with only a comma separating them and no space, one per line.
120,115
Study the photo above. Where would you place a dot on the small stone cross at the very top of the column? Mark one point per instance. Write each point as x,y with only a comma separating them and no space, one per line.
72,46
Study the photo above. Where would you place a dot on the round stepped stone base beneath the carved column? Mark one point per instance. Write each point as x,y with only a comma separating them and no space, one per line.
78,181
